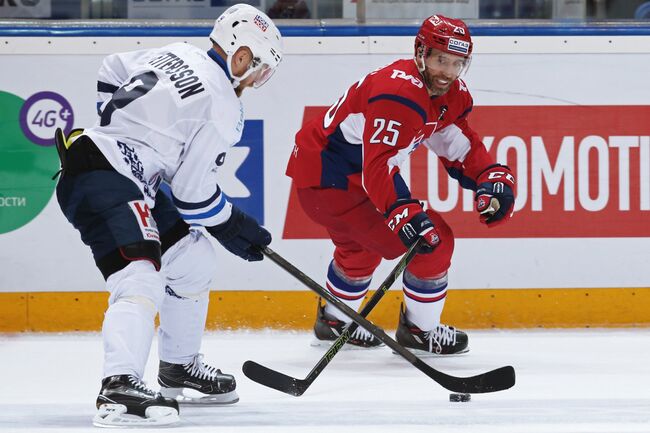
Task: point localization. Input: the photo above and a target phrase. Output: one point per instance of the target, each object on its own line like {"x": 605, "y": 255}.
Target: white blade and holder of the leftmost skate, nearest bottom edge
{"x": 114, "y": 415}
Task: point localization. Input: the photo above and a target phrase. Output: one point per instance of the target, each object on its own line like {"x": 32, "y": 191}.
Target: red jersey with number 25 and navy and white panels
{"x": 378, "y": 122}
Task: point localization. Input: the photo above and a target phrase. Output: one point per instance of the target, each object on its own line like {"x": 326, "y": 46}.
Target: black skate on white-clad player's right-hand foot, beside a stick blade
{"x": 196, "y": 383}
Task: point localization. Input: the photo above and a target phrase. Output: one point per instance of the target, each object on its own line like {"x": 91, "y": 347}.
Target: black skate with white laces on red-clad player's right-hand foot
{"x": 442, "y": 340}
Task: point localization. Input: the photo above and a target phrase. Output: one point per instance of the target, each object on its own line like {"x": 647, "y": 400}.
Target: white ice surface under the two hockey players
{"x": 572, "y": 381}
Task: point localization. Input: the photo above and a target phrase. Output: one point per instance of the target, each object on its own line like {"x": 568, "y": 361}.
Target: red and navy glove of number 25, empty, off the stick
{"x": 495, "y": 195}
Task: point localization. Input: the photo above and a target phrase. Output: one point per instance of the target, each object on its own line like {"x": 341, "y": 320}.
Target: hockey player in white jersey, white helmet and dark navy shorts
{"x": 165, "y": 115}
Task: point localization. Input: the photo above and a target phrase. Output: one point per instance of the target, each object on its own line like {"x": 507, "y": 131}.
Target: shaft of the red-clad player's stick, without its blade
{"x": 368, "y": 307}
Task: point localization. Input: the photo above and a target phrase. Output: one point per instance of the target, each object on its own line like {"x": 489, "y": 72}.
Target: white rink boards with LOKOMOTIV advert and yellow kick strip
{"x": 567, "y": 111}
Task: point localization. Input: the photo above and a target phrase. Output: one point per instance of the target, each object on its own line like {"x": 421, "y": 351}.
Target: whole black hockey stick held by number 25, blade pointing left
{"x": 297, "y": 387}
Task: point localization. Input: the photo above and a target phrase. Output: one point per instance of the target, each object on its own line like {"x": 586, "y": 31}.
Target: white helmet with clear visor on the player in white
{"x": 243, "y": 25}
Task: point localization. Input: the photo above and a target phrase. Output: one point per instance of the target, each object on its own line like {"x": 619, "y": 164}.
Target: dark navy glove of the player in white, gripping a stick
{"x": 242, "y": 235}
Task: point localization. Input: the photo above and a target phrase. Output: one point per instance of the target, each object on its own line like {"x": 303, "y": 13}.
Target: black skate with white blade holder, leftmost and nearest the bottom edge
{"x": 125, "y": 401}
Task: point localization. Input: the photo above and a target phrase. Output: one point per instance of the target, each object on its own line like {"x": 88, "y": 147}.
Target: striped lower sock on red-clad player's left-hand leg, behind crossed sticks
{"x": 349, "y": 290}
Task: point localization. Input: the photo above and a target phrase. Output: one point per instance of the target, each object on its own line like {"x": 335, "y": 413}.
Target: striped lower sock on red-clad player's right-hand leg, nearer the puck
{"x": 424, "y": 299}
